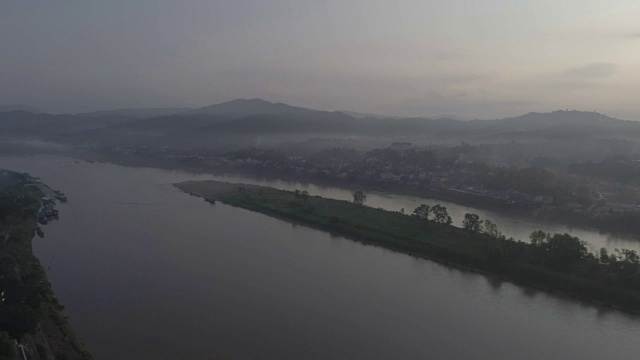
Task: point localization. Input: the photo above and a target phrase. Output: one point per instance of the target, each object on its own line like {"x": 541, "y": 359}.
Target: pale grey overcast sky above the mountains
{"x": 469, "y": 58}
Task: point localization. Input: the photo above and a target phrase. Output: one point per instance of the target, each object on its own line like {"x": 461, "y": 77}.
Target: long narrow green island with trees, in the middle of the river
{"x": 558, "y": 262}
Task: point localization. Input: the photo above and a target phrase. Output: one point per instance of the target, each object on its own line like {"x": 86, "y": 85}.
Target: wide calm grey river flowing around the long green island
{"x": 148, "y": 272}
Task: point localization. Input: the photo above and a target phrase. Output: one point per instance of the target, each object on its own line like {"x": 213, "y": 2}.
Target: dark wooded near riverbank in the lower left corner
{"x": 28, "y": 305}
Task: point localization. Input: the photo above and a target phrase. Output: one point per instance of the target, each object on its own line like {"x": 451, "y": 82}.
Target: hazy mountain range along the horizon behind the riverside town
{"x": 246, "y": 122}
